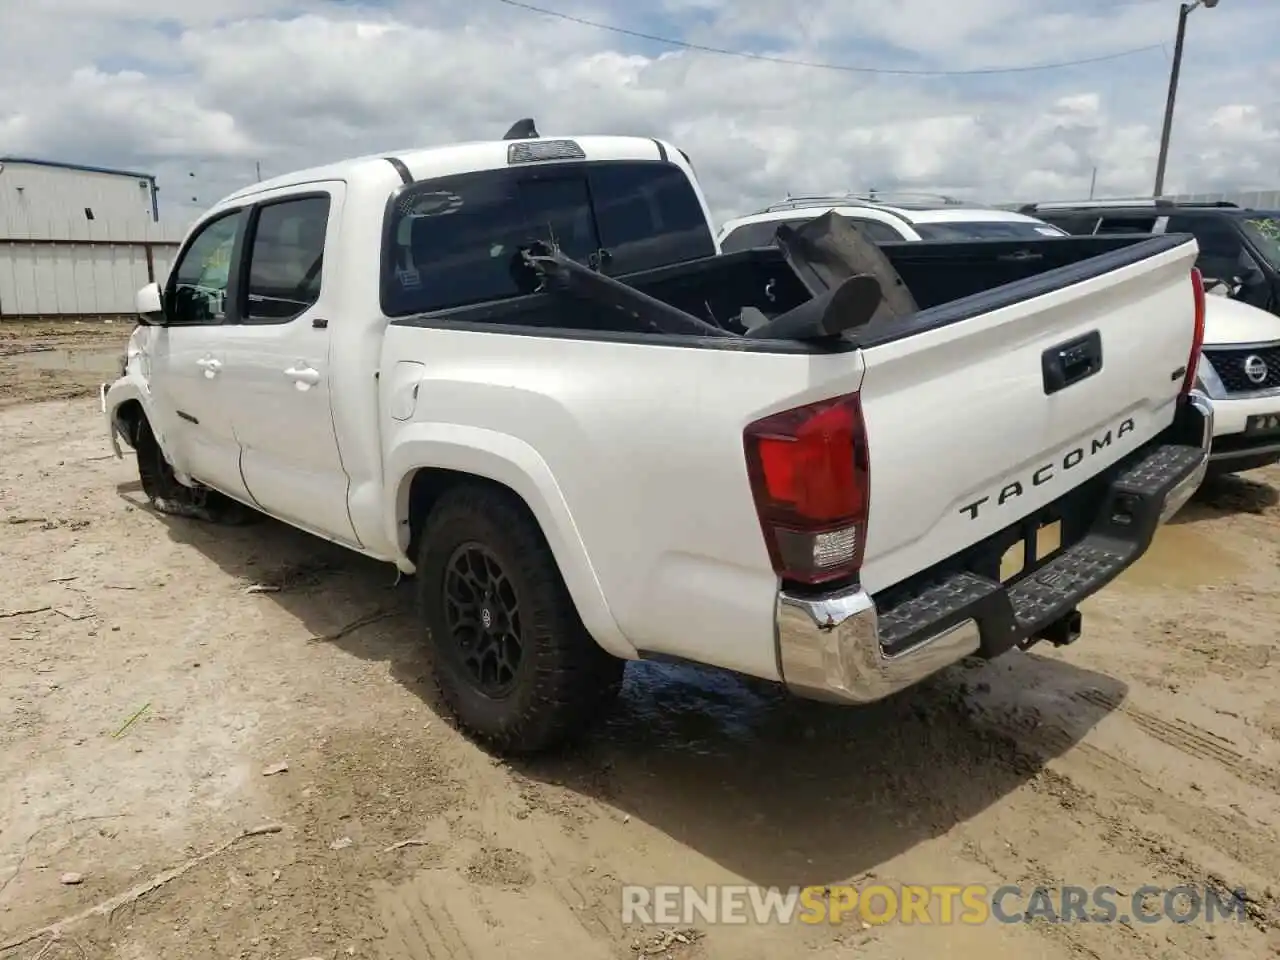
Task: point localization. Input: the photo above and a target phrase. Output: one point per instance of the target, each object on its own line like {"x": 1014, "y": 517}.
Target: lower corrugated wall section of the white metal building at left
{"x": 80, "y": 269}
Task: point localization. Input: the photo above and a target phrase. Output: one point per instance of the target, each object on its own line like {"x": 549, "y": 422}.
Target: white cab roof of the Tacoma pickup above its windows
{"x": 427, "y": 163}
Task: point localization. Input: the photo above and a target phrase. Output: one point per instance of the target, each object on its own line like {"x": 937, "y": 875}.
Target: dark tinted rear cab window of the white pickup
{"x": 458, "y": 241}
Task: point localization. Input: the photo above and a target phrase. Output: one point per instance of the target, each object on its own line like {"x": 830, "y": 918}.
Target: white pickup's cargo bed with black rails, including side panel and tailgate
{"x": 1030, "y": 372}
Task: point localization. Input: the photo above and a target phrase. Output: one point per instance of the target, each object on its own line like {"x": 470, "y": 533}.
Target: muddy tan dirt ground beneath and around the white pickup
{"x": 222, "y": 743}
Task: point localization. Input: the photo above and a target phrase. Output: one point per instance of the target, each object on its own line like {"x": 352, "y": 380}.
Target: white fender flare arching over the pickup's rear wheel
{"x": 518, "y": 467}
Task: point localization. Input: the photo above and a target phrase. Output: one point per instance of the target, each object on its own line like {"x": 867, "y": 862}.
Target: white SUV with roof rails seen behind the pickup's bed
{"x": 913, "y": 217}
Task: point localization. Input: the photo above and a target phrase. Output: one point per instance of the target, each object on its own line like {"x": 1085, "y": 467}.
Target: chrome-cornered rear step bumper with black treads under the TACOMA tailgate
{"x": 839, "y": 647}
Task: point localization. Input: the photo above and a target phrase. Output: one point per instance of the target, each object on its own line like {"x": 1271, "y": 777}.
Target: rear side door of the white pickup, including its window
{"x": 278, "y": 364}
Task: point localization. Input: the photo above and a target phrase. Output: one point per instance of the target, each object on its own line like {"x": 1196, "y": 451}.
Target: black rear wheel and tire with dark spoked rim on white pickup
{"x": 511, "y": 657}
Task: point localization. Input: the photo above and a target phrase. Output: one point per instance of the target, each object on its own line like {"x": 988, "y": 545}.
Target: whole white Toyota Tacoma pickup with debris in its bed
{"x": 524, "y": 373}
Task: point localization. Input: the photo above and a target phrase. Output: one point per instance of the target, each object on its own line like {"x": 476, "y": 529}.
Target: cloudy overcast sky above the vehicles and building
{"x": 182, "y": 88}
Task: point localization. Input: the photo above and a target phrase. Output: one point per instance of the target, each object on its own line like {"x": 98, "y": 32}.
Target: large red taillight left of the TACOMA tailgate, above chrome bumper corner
{"x": 811, "y": 478}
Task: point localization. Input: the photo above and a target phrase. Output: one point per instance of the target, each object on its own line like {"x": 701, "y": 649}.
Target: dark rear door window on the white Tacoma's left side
{"x": 286, "y": 259}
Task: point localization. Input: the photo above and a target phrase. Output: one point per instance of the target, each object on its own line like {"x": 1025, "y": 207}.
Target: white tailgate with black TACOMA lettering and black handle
{"x": 986, "y": 410}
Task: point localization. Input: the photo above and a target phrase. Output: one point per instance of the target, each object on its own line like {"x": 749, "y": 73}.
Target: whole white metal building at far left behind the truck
{"x": 77, "y": 243}
